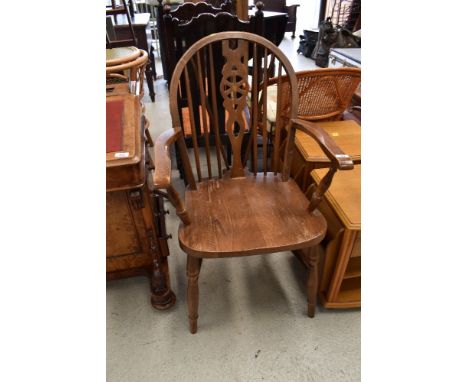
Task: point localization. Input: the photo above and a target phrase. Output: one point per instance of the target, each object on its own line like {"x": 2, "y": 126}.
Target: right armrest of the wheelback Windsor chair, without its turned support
{"x": 339, "y": 159}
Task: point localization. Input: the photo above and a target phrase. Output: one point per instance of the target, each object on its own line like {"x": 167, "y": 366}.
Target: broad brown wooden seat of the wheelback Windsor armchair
{"x": 247, "y": 216}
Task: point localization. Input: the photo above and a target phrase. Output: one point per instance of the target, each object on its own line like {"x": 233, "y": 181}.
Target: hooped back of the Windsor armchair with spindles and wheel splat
{"x": 231, "y": 105}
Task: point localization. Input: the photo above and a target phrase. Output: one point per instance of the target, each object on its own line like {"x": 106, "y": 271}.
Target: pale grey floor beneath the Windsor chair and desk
{"x": 252, "y": 326}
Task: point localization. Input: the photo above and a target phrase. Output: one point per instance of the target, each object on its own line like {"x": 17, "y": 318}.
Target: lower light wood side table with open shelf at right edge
{"x": 340, "y": 284}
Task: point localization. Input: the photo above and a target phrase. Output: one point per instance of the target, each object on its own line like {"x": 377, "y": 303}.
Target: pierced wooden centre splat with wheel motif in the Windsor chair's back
{"x": 234, "y": 88}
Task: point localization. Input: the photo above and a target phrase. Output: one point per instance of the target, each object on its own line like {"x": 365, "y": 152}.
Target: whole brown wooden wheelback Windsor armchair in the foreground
{"x": 252, "y": 207}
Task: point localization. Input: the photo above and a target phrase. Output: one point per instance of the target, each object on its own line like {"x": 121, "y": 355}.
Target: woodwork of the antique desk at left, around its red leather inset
{"x": 135, "y": 230}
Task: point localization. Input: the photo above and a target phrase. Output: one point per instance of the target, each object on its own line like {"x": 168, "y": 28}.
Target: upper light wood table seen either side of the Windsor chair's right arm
{"x": 308, "y": 155}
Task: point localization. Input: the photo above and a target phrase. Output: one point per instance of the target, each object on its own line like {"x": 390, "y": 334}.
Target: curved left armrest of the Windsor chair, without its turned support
{"x": 162, "y": 157}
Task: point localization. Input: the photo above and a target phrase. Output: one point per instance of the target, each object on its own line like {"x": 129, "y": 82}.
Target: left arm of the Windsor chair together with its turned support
{"x": 163, "y": 169}
